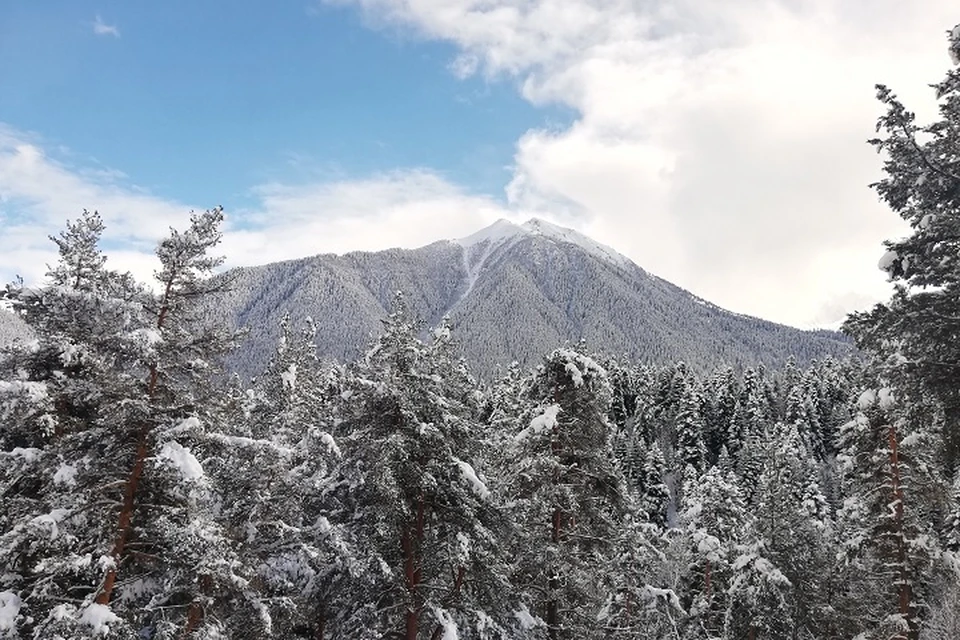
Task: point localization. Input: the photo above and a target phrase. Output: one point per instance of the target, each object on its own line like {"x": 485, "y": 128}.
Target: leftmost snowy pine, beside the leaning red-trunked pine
{"x": 55, "y": 395}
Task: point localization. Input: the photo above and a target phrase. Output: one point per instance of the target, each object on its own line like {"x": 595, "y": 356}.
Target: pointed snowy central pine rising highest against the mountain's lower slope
{"x": 415, "y": 501}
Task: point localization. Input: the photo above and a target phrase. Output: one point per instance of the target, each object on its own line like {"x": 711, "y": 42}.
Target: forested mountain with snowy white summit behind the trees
{"x": 513, "y": 292}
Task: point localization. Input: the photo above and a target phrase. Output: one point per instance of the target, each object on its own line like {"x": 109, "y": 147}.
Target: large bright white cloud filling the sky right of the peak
{"x": 720, "y": 145}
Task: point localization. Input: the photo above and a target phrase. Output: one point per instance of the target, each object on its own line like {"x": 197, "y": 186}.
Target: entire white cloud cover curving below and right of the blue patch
{"x": 719, "y": 145}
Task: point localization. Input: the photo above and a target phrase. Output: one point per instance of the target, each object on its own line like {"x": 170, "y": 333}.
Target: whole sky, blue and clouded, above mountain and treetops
{"x": 718, "y": 145}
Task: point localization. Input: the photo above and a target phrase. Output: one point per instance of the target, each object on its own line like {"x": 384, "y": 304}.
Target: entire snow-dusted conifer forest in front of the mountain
{"x": 147, "y": 493}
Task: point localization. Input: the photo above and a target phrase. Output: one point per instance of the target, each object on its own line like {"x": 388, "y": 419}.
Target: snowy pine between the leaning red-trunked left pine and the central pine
{"x": 276, "y": 460}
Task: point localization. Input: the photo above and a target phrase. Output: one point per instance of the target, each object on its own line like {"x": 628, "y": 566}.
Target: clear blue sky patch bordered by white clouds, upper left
{"x": 197, "y": 101}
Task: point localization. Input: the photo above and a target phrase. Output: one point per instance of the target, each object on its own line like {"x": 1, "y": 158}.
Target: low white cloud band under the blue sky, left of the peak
{"x": 39, "y": 192}
